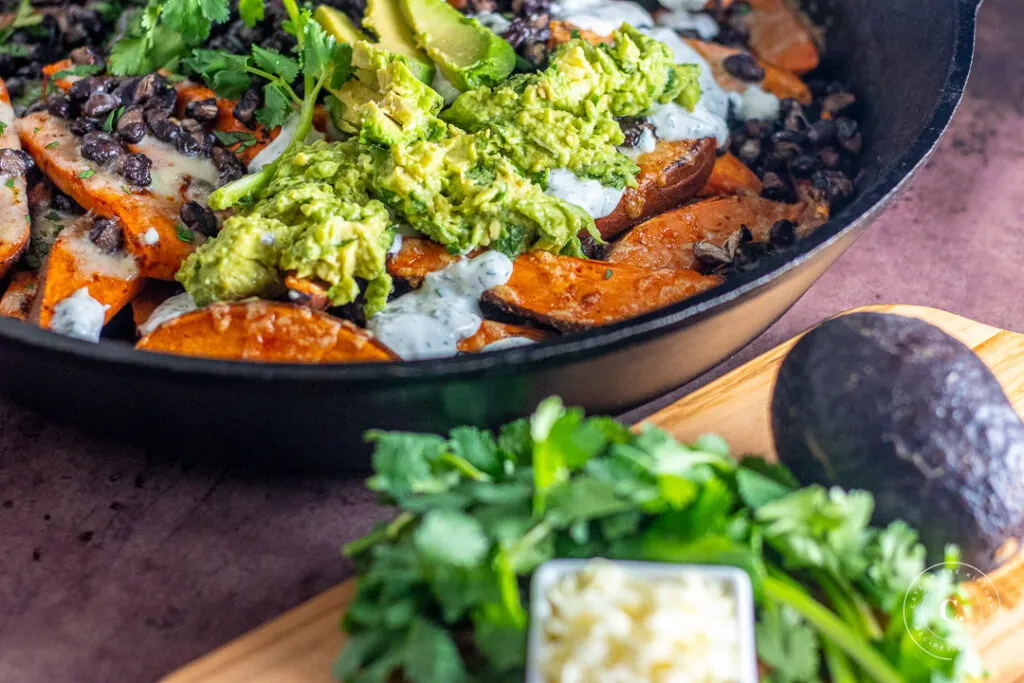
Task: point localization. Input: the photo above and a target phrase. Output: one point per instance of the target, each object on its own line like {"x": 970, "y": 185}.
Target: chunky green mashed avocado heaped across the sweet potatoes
{"x": 331, "y": 210}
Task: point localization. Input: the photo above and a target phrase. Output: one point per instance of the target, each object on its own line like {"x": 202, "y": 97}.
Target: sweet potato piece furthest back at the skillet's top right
{"x": 779, "y": 37}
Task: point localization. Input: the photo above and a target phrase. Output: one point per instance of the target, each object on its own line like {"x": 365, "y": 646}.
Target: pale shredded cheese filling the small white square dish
{"x": 608, "y": 625}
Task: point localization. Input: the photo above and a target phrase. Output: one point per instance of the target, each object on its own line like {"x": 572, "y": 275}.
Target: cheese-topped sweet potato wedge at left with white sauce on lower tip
{"x": 75, "y": 263}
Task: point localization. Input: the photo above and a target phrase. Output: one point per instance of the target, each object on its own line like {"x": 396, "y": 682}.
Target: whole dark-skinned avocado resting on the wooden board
{"x": 897, "y": 407}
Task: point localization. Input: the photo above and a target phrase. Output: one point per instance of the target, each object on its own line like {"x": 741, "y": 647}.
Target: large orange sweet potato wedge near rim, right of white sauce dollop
{"x": 572, "y": 294}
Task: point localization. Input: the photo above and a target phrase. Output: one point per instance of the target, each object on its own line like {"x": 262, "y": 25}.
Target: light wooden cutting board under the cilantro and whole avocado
{"x": 301, "y": 646}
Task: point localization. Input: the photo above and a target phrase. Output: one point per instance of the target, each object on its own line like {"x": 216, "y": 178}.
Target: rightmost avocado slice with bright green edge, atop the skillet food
{"x": 467, "y": 53}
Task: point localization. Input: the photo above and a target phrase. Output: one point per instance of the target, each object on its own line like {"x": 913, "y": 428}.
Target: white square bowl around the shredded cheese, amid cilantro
{"x": 551, "y": 572}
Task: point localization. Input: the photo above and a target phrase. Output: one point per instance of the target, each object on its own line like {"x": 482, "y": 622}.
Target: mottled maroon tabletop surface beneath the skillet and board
{"x": 119, "y": 566}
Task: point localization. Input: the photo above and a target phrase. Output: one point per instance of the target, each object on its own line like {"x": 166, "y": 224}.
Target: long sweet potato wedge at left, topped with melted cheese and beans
{"x": 150, "y": 215}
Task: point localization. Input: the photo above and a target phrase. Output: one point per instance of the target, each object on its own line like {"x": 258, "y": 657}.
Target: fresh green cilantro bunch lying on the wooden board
{"x": 442, "y": 588}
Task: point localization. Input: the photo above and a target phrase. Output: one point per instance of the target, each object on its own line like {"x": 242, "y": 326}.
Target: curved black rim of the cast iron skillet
{"x": 577, "y": 348}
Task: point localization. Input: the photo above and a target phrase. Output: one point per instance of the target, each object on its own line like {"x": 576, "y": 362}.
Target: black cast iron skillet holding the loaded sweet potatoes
{"x": 909, "y": 62}
